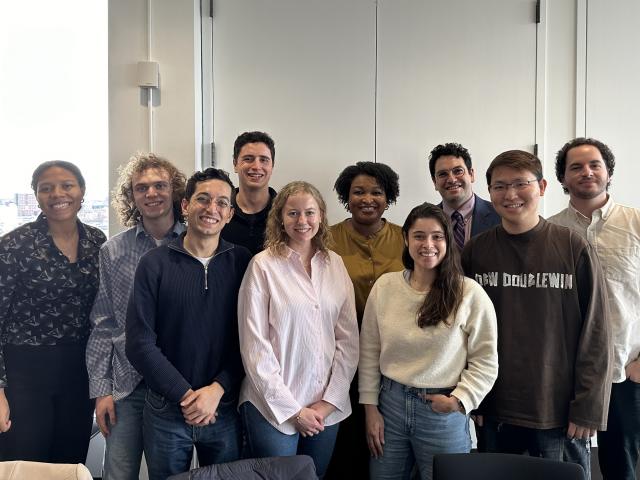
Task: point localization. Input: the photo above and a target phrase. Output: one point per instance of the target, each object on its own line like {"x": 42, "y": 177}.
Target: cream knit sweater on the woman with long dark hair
{"x": 462, "y": 356}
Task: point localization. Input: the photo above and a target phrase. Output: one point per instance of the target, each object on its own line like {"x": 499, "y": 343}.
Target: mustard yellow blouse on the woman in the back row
{"x": 368, "y": 258}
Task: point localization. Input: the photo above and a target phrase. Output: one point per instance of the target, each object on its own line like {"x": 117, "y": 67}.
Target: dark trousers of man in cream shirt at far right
{"x": 618, "y": 446}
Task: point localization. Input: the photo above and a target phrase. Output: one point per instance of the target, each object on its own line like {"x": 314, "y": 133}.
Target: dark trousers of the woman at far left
{"x": 48, "y": 395}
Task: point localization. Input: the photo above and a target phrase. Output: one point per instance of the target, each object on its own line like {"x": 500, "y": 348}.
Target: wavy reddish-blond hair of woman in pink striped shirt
{"x": 275, "y": 236}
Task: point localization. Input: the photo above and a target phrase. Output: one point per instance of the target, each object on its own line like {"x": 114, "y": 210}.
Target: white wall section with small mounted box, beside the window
{"x": 175, "y": 45}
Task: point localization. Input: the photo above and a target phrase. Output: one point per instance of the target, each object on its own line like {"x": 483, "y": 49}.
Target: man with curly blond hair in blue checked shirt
{"x": 147, "y": 199}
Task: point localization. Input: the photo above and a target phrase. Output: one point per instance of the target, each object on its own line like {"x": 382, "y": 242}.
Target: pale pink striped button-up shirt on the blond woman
{"x": 298, "y": 336}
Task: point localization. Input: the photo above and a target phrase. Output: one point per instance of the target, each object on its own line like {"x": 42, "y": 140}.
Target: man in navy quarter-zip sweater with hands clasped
{"x": 182, "y": 335}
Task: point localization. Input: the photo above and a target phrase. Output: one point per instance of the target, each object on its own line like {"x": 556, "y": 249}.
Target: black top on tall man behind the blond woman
{"x": 247, "y": 229}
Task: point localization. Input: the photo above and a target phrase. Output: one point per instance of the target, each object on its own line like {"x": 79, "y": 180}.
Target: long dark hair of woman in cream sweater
{"x": 446, "y": 292}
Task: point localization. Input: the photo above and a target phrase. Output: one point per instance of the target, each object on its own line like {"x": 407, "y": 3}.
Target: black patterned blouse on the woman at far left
{"x": 44, "y": 298}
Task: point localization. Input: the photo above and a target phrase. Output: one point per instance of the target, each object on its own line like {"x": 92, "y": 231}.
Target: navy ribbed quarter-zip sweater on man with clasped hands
{"x": 182, "y": 320}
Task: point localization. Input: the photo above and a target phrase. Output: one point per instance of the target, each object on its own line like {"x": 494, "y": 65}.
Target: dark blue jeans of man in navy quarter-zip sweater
{"x": 169, "y": 441}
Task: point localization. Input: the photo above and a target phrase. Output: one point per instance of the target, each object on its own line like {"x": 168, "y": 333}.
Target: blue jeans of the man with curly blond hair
{"x": 123, "y": 451}
